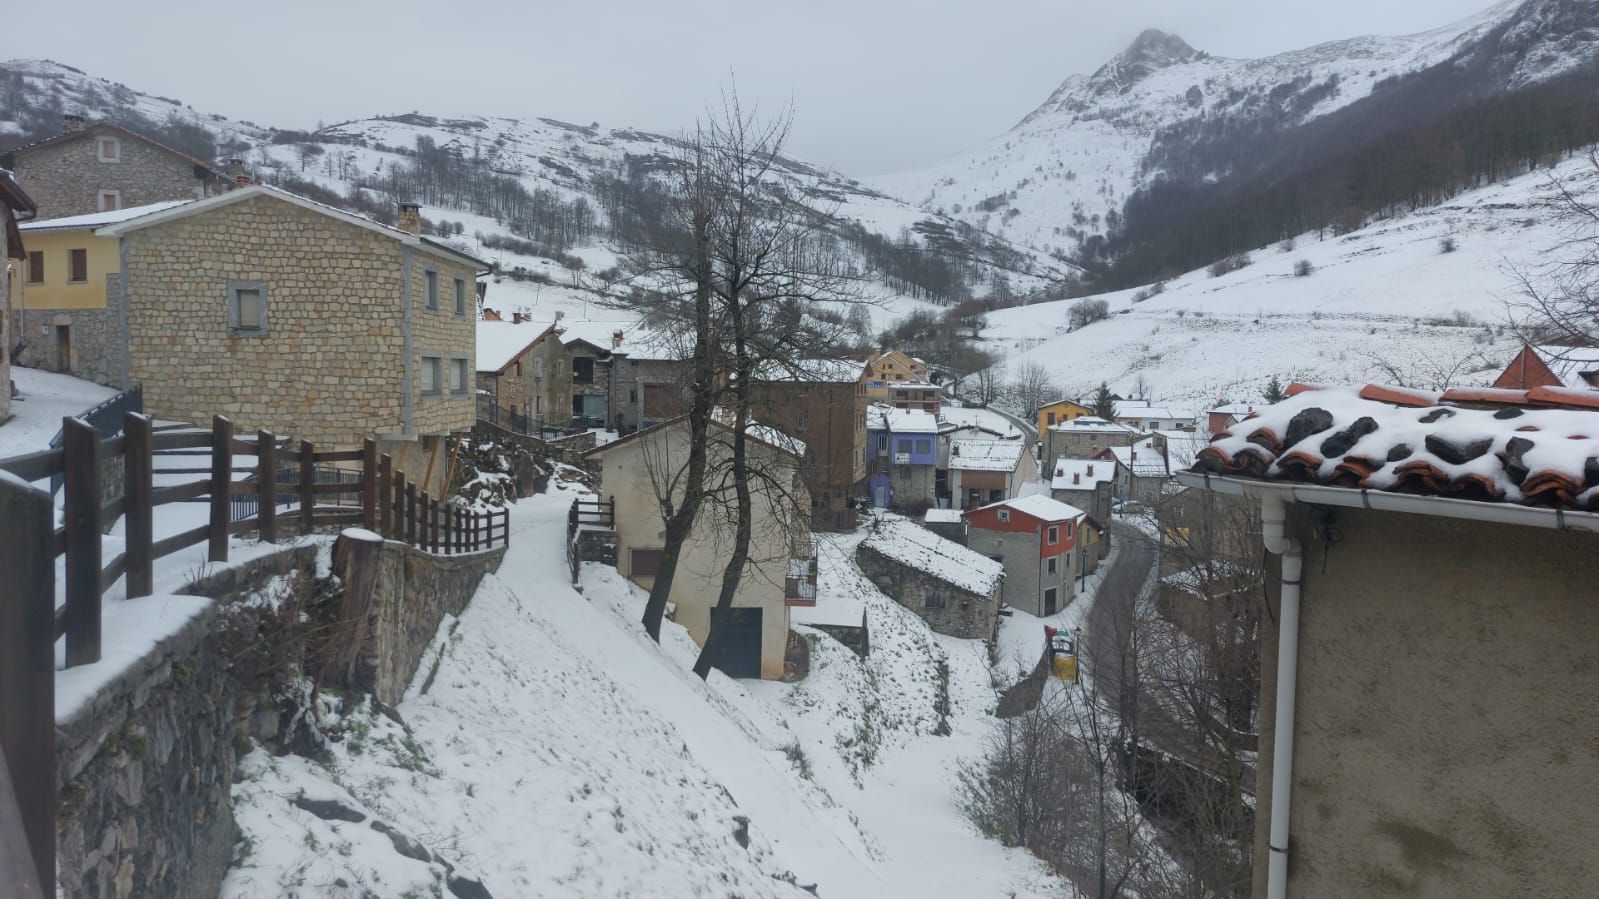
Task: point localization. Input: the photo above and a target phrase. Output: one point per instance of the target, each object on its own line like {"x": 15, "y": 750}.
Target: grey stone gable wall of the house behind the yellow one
{"x": 66, "y": 178}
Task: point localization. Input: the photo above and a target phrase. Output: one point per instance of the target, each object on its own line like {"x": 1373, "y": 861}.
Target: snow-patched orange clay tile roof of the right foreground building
{"x": 1534, "y": 447}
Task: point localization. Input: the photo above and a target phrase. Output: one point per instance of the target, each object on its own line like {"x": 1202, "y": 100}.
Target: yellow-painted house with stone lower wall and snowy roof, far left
{"x": 62, "y": 318}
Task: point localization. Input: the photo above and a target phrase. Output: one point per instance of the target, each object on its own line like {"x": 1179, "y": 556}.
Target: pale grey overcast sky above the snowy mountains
{"x": 877, "y": 86}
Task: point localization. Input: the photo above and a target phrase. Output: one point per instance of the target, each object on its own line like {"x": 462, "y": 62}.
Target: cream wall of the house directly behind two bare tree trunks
{"x": 626, "y": 476}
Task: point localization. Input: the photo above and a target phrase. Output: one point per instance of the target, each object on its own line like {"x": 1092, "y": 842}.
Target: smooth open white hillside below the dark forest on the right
{"x": 1384, "y": 294}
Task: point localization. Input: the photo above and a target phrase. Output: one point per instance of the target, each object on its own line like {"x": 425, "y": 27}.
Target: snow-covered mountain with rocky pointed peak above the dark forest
{"x": 1067, "y": 170}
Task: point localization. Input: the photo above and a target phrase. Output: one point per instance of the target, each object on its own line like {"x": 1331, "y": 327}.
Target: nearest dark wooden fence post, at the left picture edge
{"x": 28, "y": 677}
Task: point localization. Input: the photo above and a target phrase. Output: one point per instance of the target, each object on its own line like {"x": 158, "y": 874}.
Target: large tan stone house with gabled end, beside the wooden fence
{"x": 305, "y": 321}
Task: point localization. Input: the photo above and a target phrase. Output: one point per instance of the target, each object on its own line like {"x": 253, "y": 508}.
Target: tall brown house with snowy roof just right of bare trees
{"x": 824, "y": 404}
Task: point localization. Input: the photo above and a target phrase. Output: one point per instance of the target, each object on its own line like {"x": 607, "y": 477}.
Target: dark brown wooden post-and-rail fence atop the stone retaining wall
{"x": 30, "y": 545}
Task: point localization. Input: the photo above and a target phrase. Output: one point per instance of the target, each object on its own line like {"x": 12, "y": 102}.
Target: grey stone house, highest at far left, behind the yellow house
{"x": 103, "y": 167}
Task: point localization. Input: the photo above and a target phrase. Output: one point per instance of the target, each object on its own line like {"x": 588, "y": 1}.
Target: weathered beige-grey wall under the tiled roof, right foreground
{"x": 1448, "y": 725}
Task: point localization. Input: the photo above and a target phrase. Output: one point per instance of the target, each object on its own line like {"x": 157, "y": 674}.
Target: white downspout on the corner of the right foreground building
{"x": 1277, "y": 541}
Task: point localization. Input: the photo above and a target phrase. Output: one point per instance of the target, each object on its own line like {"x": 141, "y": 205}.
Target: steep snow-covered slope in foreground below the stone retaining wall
{"x": 551, "y": 749}
